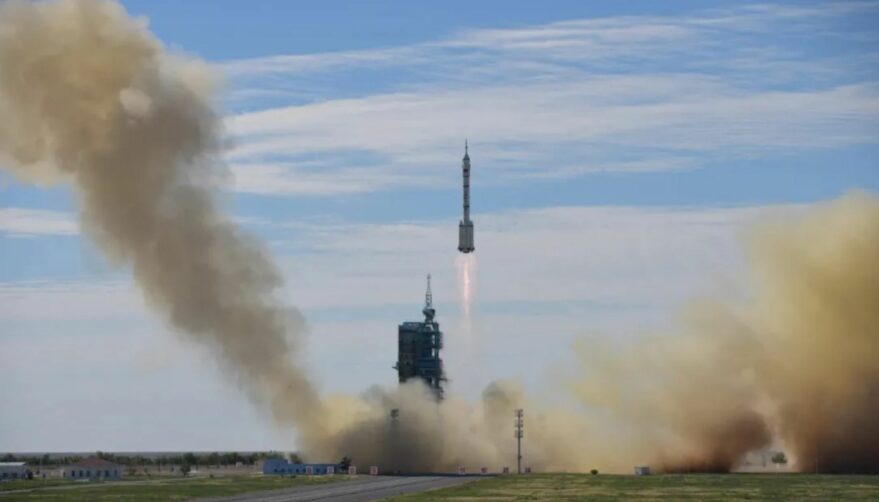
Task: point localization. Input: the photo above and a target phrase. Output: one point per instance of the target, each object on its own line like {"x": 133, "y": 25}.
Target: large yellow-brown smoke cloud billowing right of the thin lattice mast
{"x": 796, "y": 367}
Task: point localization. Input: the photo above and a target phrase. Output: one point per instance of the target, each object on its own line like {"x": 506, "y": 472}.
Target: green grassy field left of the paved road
{"x": 167, "y": 489}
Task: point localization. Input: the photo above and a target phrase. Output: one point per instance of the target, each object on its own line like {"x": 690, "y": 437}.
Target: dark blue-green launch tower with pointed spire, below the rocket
{"x": 418, "y": 349}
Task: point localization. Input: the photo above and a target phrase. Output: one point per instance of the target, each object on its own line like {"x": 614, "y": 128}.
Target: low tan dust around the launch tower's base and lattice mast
{"x": 431, "y": 437}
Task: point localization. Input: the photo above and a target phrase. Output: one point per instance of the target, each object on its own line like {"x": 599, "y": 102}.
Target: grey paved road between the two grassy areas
{"x": 361, "y": 489}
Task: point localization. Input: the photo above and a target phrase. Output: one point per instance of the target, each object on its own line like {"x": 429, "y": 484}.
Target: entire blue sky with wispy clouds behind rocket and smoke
{"x": 625, "y": 143}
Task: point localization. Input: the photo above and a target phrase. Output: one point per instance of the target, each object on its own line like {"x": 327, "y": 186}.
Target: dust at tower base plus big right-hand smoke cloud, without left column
{"x": 793, "y": 367}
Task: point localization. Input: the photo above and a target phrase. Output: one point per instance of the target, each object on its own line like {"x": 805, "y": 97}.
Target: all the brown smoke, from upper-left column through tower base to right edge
{"x": 88, "y": 96}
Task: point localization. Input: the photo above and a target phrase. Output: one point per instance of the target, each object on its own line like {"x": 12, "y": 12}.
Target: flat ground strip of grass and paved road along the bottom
{"x": 798, "y": 487}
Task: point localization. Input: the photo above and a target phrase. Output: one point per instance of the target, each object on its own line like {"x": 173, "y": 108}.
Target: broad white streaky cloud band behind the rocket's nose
{"x": 563, "y": 127}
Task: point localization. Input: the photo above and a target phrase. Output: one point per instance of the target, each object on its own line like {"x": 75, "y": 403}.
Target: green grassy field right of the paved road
{"x": 795, "y": 487}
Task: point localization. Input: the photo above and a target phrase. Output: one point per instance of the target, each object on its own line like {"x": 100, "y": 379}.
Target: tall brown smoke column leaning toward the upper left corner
{"x": 88, "y": 95}
